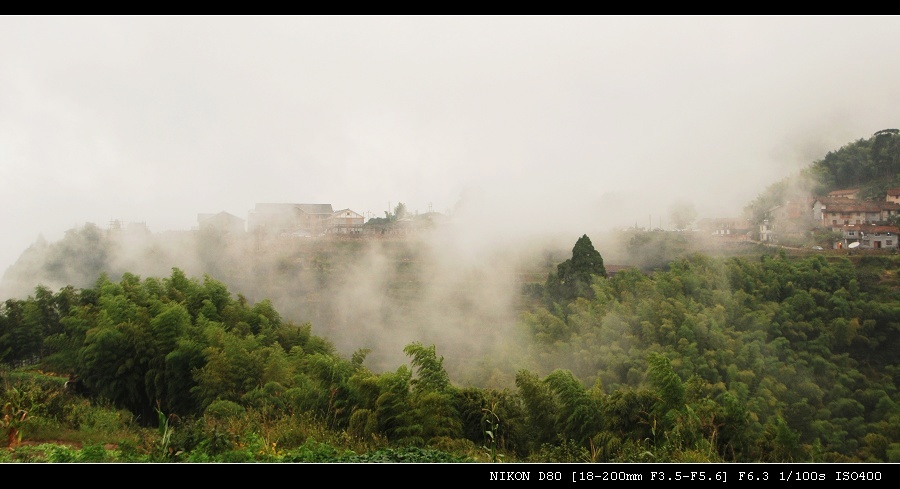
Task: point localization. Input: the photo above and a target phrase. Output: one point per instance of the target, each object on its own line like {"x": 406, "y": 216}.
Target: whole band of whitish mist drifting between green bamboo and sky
{"x": 460, "y": 283}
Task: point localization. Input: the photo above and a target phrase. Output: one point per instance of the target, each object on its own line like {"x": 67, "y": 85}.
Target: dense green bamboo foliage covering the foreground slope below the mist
{"x": 711, "y": 359}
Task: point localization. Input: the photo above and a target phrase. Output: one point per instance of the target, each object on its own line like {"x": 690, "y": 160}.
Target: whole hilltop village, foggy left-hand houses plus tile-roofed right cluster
{"x": 838, "y": 220}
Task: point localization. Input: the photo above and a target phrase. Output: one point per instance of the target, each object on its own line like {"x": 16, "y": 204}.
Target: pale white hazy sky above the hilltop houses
{"x": 550, "y": 123}
